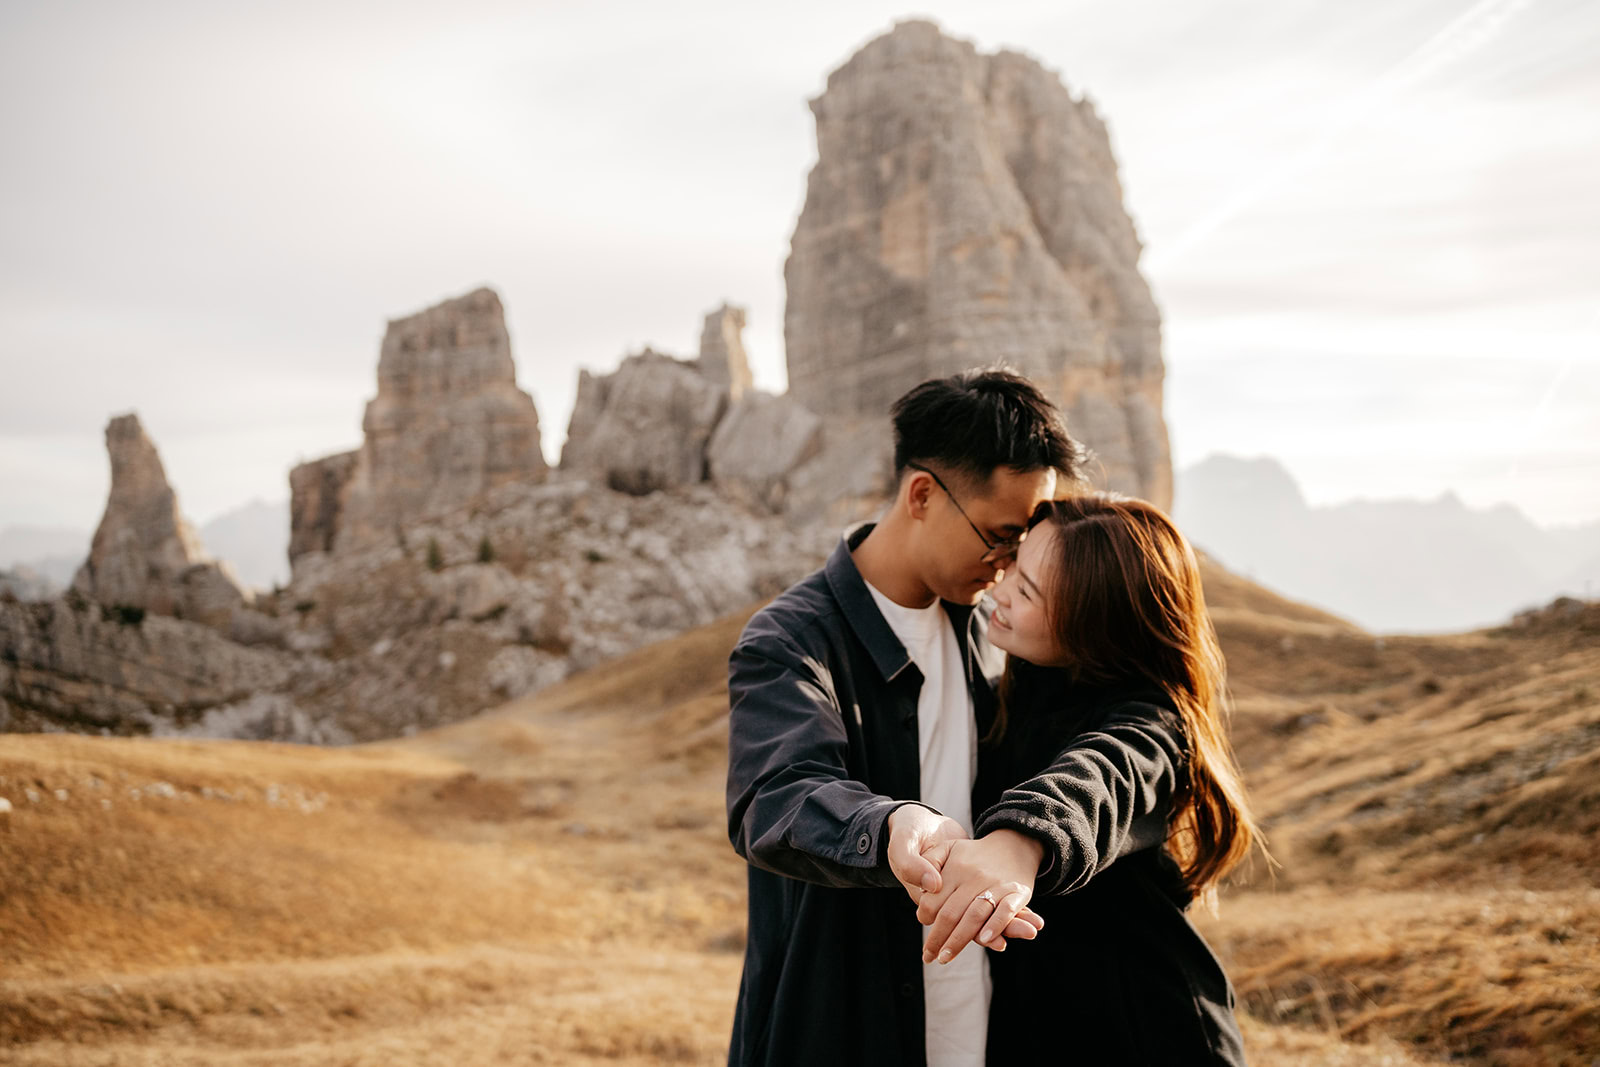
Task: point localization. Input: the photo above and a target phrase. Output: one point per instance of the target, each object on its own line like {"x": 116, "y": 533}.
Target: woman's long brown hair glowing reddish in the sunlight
{"x": 1124, "y": 597}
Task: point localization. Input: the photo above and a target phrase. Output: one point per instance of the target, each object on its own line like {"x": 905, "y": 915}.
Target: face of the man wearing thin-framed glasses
{"x": 953, "y": 551}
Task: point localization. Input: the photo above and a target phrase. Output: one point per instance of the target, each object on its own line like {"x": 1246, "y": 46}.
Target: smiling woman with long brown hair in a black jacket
{"x": 1122, "y": 785}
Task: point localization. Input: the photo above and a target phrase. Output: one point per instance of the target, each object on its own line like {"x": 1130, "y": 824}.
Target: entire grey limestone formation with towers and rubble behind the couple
{"x": 964, "y": 210}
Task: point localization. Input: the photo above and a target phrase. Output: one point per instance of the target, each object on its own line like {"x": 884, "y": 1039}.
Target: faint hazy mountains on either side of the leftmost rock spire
{"x": 254, "y": 538}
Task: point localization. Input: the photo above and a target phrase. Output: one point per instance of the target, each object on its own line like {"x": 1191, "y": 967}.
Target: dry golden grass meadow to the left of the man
{"x": 546, "y": 884}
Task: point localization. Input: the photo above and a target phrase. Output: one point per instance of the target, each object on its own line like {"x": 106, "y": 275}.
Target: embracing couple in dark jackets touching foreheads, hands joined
{"x": 1044, "y": 773}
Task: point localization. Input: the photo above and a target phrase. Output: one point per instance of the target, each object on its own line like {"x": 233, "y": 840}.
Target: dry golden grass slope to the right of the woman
{"x": 1436, "y": 807}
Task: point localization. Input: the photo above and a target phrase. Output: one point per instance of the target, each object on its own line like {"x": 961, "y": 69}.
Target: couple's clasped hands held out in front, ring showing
{"x": 946, "y": 874}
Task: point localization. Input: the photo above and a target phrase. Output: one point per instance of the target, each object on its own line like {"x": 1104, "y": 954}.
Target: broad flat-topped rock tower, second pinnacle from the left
{"x": 449, "y": 423}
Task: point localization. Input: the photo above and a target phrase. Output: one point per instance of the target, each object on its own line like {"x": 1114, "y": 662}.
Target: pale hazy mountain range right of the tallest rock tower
{"x": 1388, "y": 565}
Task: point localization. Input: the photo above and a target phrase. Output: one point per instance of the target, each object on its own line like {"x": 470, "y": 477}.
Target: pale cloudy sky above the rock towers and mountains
{"x": 1370, "y": 226}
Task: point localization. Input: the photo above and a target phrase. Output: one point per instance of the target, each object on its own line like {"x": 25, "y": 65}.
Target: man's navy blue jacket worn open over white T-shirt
{"x": 822, "y": 749}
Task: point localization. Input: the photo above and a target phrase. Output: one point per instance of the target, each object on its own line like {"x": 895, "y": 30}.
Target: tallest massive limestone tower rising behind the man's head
{"x": 966, "y": 210}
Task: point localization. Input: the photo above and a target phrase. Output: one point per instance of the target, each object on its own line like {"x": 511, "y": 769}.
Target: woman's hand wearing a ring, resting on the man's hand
{"x": 1004, "y": 863}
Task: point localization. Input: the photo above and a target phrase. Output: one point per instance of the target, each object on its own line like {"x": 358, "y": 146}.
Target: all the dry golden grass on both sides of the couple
{"x": 551, "y": 882}
